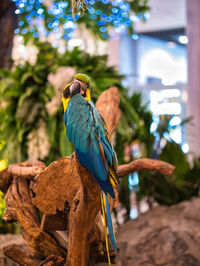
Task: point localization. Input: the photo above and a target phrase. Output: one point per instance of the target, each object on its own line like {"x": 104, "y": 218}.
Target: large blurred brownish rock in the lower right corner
{"x": 164, "y": 236}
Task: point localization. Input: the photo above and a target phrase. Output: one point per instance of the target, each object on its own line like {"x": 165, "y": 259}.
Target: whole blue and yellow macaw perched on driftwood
{"x": 87, "y": 130}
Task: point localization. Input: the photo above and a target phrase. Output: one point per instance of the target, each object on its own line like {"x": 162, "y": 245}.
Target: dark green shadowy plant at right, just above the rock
{"x": 182, "y": 185}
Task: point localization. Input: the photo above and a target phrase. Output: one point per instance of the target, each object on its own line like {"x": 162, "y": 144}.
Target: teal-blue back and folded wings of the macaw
{"x": 87, "y": 130}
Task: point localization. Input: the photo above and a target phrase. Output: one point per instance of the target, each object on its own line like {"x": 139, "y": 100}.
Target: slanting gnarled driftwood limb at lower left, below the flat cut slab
{"x": 19, "y": 208}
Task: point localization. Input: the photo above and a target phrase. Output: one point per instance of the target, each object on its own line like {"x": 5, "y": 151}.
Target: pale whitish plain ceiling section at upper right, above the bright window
{"x": 165, "y": 14}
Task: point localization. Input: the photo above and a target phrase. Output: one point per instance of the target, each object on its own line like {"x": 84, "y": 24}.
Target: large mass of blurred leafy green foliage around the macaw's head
{"x": 28, "y": 125}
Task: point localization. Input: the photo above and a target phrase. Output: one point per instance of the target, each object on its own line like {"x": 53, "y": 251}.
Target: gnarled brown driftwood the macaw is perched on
{"x": 69, "y": 199}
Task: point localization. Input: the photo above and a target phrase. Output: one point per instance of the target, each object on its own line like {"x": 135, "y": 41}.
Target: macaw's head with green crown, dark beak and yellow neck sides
{"x": 81, "y": 85}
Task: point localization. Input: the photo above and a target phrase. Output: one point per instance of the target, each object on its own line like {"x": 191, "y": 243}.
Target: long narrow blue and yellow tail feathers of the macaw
{"x": 107, "y": 221}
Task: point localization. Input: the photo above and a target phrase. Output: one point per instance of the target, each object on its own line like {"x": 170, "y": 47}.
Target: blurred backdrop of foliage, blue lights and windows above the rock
{"x": 149, "y": 50}
